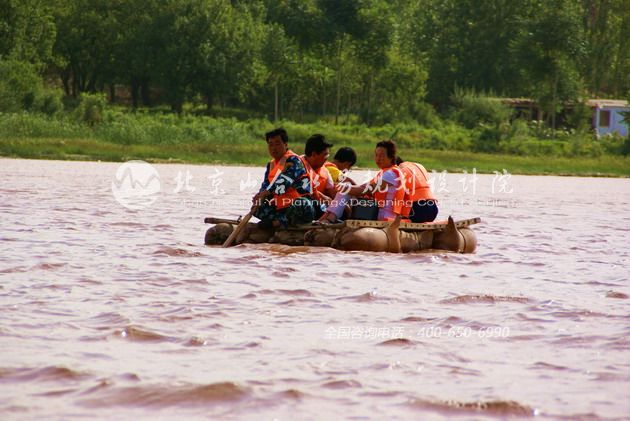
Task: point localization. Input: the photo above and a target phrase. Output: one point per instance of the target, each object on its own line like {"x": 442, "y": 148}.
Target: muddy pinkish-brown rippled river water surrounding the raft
{"x": 108, "y": 312}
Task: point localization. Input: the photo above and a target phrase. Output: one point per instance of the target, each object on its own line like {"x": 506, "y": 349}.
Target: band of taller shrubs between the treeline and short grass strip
{"x": 146, "y": 127}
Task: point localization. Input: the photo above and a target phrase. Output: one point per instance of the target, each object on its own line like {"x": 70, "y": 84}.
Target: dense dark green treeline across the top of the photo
{"x": 380, "y": 60}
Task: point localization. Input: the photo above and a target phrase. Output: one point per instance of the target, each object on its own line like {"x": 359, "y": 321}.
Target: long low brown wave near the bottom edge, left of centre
{"x": 165, "y": 396}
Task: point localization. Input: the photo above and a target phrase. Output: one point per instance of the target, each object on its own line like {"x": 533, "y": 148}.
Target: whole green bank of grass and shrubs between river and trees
{"x": 155, "y": 137}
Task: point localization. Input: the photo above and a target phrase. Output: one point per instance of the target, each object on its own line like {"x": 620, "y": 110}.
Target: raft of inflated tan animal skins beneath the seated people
{"x": 359, "y": 235}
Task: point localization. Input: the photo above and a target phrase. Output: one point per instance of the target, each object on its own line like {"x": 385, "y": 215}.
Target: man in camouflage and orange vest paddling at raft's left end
{"x": 284, "y": 196}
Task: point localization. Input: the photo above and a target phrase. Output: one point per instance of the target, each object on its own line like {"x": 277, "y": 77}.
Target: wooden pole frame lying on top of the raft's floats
{"x": 356, "y": 223}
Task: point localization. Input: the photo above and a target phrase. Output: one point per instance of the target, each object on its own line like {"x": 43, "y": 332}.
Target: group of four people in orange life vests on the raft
{"x": 300, "y": 189}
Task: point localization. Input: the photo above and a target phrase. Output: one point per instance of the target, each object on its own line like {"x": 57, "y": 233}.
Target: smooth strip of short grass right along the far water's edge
{"x": 256, "y": 155}
